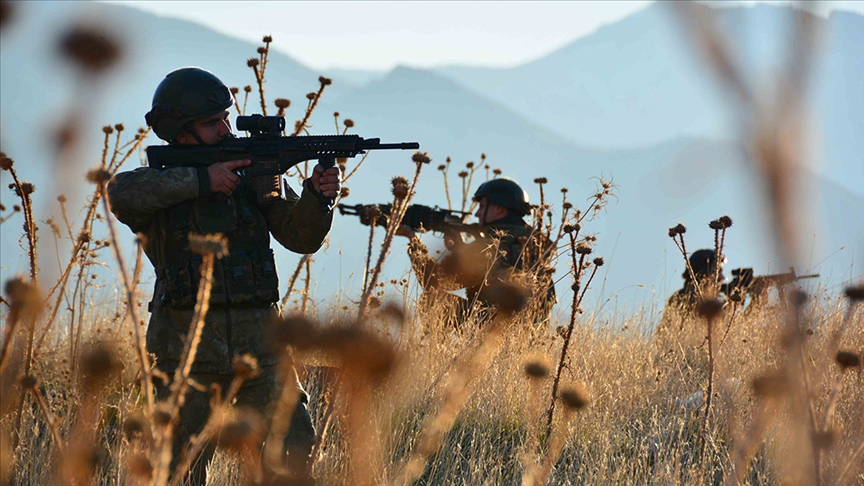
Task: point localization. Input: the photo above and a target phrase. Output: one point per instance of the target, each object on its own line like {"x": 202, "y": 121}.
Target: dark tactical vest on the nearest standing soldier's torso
{"x": 246, "y": 276}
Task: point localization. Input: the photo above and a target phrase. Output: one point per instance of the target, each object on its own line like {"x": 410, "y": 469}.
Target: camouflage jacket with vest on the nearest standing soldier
{"x": 164, "y": 207}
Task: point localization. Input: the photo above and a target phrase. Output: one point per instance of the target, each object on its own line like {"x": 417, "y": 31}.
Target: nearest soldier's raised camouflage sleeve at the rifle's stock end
{"x": 136, "y": 196}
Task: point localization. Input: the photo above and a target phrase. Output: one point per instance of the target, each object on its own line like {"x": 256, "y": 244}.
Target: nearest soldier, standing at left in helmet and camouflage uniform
{"x": 190, "y": 107}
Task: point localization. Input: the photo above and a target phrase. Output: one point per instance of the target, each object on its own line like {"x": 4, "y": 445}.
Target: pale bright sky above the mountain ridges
{"x": 381, "y": 35}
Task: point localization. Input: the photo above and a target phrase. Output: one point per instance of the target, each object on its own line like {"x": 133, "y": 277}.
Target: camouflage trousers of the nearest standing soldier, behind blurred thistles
{"x": 256, "y": 394}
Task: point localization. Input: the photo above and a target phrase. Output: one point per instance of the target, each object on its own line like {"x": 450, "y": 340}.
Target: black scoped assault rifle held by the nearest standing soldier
{"x": 271, "y": 153}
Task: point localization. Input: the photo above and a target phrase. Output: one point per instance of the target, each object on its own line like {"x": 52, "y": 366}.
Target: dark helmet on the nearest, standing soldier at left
{"x": 185, "y": 95}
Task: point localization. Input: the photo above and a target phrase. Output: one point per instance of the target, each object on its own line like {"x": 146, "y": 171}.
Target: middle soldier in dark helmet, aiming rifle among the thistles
{"x": 506, "y": 246}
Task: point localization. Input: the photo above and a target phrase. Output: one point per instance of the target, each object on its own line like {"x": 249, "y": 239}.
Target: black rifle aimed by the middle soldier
{"x": 417, "y": 216}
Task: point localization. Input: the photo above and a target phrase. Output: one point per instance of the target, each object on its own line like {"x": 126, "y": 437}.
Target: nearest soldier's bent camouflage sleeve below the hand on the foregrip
{"x": 298, "y": 222}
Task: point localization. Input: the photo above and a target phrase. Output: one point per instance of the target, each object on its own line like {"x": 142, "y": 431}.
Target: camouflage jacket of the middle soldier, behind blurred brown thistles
{"x": 507, "y": 248}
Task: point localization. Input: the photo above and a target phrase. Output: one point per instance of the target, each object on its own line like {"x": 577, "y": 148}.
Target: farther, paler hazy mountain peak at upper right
{"x": 638, "y": 82}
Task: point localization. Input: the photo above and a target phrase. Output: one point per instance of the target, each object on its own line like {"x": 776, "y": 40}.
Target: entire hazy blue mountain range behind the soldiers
{"x": 628, "y": 103}
